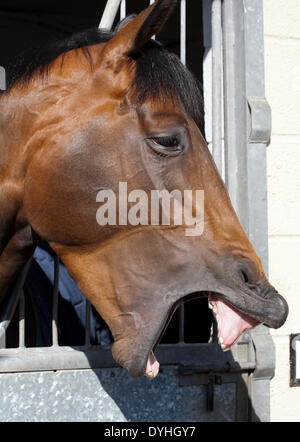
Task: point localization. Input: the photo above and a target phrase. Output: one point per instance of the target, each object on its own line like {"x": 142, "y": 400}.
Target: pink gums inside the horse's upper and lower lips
{"x": 231, "y": 325}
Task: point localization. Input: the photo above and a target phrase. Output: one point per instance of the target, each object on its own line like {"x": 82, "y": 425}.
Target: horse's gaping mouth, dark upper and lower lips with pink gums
{"x": 248, "y": 309}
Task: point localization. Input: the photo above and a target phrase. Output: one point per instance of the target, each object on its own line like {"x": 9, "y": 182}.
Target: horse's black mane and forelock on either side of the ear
{"x": 159, "y": 72}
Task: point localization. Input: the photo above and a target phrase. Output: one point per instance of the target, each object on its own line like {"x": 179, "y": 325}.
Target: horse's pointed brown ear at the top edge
{"x": 132, "y": 37}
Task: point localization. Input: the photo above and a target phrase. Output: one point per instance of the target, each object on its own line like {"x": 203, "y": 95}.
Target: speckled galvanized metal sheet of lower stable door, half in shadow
{"x": 109, "y": 395}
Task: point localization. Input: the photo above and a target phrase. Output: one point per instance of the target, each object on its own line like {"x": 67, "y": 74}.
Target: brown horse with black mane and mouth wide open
{"x": 121, "y": 109}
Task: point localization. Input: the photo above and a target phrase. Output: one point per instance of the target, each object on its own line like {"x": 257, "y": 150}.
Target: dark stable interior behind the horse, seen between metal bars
{"x": 24, "y": 25}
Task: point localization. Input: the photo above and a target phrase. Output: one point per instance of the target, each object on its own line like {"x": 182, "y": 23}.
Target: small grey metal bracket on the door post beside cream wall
{"x": 260, "y": 120}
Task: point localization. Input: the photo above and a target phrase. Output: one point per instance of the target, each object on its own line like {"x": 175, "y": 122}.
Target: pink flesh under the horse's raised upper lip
{"x": 231, "y": 323}
